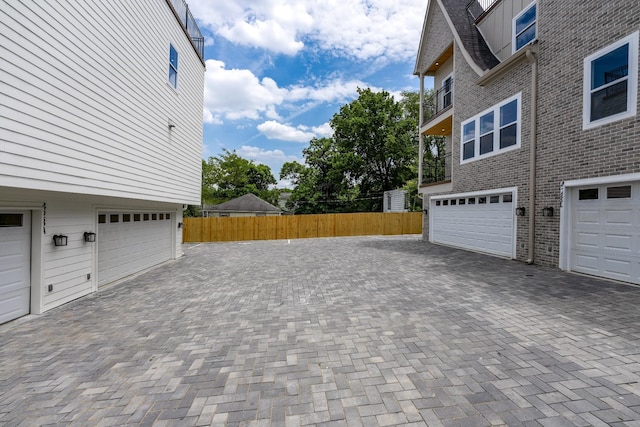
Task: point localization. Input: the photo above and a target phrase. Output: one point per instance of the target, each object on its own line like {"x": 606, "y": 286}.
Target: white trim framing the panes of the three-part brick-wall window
{"x": 496, "y": 131}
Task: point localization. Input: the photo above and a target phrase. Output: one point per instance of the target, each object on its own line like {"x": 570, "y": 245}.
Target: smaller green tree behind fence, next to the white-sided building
{"x": 228, "y": 176}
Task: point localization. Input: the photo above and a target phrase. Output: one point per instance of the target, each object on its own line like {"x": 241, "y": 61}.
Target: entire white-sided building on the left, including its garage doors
{"x": 100, "y": 132}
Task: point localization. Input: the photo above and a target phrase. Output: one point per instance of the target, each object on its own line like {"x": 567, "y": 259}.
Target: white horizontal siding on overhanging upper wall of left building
{"x": 90, "y": 115}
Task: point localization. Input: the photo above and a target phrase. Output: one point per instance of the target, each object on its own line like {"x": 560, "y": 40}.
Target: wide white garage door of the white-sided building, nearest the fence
{"x": 130, "y": 242}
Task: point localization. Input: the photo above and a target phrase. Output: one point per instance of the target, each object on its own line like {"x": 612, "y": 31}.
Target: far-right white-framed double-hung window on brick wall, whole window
{"x": 610, "y": 85}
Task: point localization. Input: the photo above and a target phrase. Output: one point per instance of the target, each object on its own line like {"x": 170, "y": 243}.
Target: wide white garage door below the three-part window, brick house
{"x": 480, "y": 223}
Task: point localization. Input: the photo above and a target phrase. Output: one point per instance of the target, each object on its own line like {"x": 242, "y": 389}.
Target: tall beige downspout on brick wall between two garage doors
{"x": 532, "y": 155}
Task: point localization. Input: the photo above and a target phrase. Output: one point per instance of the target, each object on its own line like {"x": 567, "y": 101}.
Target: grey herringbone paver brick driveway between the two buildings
{"x": 349, "y": 331}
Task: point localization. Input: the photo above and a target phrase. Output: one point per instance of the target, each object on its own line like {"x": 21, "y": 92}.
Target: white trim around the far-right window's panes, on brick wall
{"x": 632, "y": 85}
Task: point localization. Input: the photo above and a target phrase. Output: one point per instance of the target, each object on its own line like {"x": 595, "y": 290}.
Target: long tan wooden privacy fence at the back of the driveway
{"x": 227, "y": 229}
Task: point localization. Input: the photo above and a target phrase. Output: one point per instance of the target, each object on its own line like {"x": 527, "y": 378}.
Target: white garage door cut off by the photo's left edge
{"x": 15, "y": 264}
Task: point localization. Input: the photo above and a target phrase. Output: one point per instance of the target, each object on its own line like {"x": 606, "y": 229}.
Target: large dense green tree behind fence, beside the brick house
{"x": 373, "y": 149}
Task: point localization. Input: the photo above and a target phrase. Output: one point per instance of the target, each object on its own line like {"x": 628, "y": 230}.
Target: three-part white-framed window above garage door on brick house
{"x": 493, "y": 131}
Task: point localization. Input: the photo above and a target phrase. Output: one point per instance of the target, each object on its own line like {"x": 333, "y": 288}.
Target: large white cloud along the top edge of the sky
{"x": 363, "y": 29}
